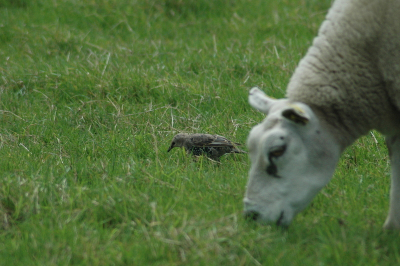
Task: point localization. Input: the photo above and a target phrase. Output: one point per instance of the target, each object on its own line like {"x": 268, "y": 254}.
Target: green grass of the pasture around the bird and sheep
{"x": 91, "y": 94}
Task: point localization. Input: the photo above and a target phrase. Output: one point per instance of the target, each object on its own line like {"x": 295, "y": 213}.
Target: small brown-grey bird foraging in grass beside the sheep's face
{"x": 214, "y": 146}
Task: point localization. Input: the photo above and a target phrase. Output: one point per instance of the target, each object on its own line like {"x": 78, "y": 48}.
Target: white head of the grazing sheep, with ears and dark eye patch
{"x": 292, "y": 159}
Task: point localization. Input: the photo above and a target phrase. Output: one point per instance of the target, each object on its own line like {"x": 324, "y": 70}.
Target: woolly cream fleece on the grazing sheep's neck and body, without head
{"x": 351, "y": 74}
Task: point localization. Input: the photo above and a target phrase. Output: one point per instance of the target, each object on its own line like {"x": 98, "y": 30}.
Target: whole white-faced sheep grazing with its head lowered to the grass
{"x": 347, "y": 84}
